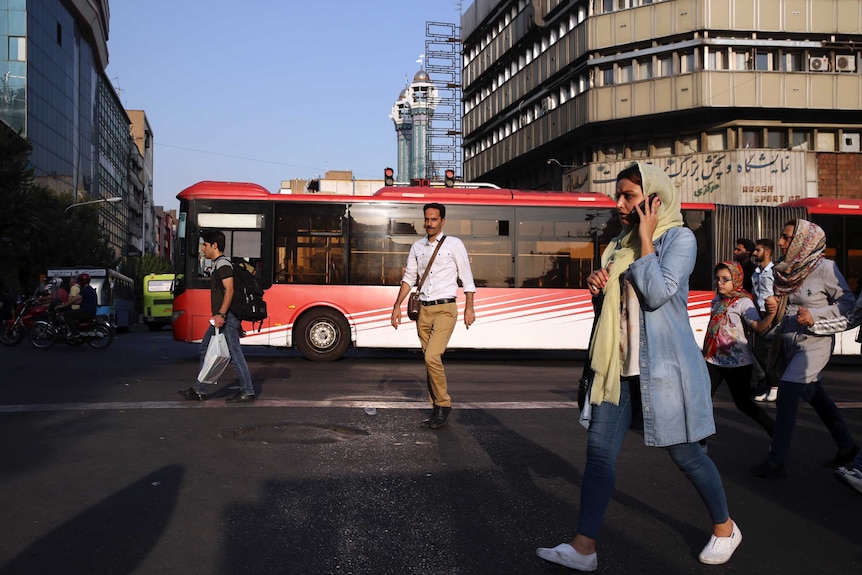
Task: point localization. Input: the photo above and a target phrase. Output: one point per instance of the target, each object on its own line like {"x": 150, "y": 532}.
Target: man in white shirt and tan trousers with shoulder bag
{"x": 438, "y": 313}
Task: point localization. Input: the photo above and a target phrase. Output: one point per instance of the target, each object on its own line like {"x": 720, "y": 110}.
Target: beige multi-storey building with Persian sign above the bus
{"x": 740, "y": 101}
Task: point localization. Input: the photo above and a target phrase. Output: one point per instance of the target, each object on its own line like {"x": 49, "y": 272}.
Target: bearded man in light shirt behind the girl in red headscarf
{"x": 762, "y": 281}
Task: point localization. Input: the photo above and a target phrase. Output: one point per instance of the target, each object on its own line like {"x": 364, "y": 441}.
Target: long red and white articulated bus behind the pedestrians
{"x": 331, "y": 265}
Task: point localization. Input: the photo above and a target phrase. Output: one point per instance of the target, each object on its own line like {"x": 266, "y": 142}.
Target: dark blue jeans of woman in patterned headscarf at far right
{"x": 786, "y": 407}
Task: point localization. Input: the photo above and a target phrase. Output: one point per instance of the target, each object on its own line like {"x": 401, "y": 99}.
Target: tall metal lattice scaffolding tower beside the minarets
{"x": 443, "y": 66}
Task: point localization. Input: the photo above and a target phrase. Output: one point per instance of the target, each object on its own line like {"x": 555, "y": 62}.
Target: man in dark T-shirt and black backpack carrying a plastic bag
{"x": 221, "y": 296}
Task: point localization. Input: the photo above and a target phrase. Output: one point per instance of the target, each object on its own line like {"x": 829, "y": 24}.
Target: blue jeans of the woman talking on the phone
{"x": 608, "y": 428}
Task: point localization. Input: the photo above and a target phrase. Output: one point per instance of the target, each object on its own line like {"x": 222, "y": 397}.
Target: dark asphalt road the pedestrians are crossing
{"x": 106, "y": 470}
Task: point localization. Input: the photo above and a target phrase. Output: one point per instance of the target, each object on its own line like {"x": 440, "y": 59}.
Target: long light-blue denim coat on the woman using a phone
{"x": 675, "y": 387}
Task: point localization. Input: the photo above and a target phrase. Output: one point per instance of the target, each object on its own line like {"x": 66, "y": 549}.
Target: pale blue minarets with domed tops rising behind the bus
{"x": 412, "y": 114}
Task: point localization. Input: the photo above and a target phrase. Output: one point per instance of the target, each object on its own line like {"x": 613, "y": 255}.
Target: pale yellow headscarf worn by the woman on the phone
{"x": 620, "y": 253}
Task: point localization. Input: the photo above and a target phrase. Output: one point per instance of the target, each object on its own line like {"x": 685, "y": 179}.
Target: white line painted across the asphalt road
{"x": 344, "y": 404}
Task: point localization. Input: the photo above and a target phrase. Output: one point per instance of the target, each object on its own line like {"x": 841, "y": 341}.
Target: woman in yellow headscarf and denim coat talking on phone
{"x": 647, "y": 364}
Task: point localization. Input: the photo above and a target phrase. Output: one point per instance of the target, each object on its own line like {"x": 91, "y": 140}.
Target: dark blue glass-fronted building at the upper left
{"x": 54, "y": 92}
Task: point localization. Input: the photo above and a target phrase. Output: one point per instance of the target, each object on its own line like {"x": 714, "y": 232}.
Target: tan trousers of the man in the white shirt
{"x": 434, "y": 327}
